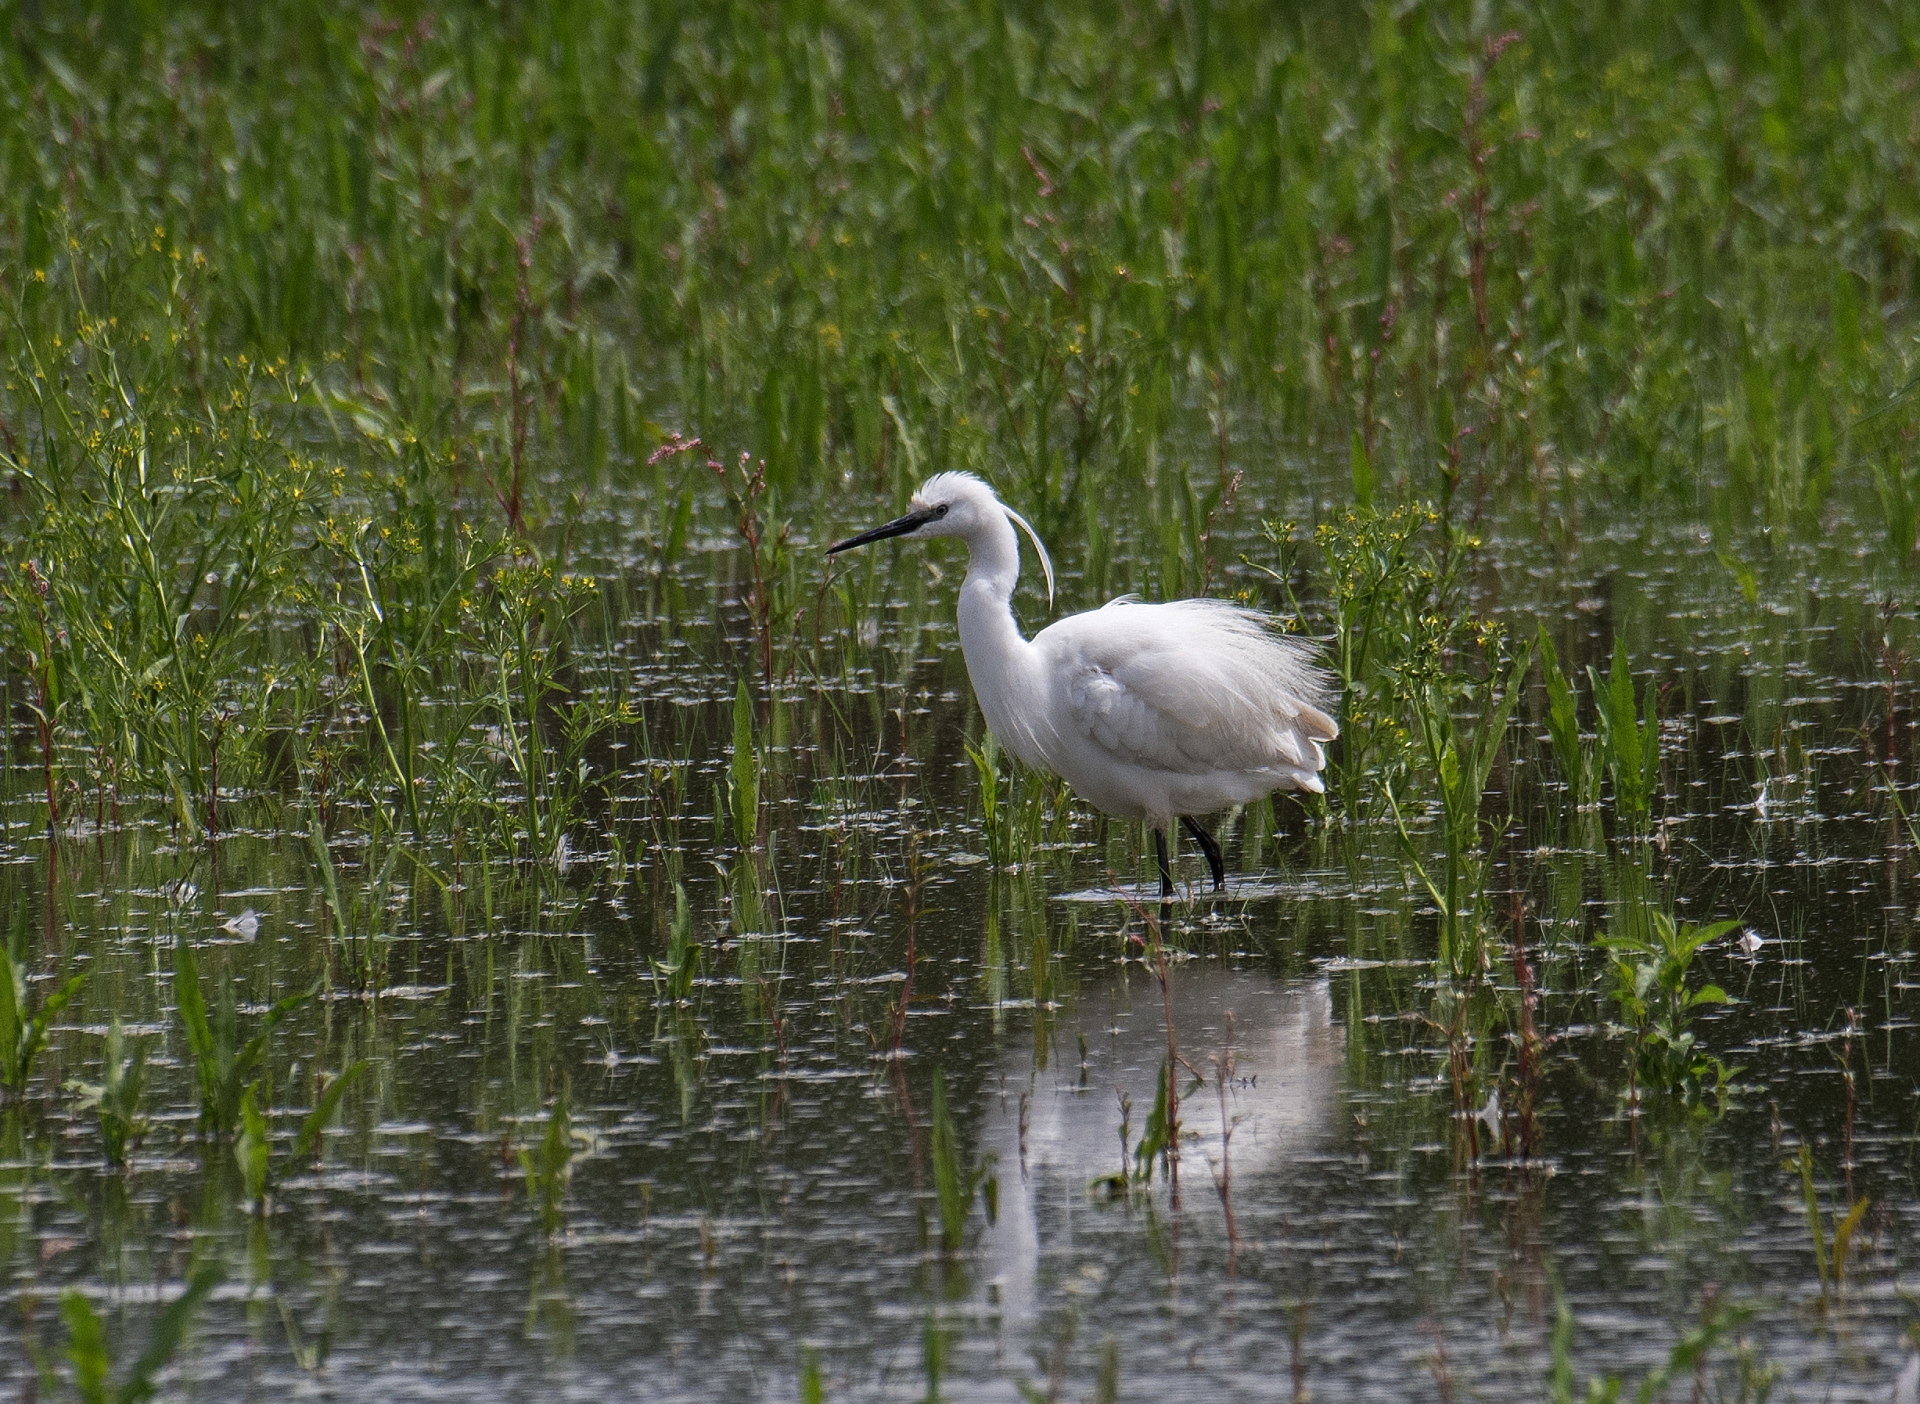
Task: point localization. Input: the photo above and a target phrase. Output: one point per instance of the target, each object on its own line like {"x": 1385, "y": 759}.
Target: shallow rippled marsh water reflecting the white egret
{"x": 754, "y": 1184}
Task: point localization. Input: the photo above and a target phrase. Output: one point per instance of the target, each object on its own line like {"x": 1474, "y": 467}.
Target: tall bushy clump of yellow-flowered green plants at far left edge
{"x": 120, "y": 556}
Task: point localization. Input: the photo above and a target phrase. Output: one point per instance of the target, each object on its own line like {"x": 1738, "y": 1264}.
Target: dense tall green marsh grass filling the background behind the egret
{"x": 308, "y": 304}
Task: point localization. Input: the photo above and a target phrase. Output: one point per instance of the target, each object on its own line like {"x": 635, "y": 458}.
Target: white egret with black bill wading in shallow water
{"x": 1147, "y": 712}
